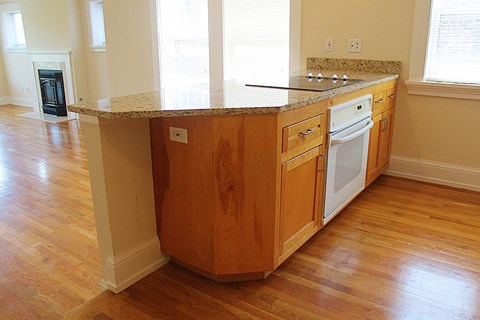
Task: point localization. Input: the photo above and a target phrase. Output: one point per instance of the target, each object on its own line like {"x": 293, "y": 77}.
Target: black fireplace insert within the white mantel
{"x": 53, "y": 92}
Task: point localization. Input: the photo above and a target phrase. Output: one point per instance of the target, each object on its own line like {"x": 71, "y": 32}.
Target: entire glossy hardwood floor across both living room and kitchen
{"x": 401, "y": 250}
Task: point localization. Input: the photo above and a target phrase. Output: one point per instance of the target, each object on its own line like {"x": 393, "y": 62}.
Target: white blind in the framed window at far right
{"x": 453, "y": 53}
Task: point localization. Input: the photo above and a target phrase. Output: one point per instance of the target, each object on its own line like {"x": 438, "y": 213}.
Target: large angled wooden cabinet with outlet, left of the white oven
{"x": 243, "y": 193}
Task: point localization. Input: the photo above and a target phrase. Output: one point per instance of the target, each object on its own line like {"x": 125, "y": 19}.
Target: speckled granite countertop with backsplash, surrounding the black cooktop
{"x": 232, "y": 98}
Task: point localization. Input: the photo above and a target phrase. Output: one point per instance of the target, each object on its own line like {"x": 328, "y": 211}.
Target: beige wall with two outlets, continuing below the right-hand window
{"x": 426, "y": 128}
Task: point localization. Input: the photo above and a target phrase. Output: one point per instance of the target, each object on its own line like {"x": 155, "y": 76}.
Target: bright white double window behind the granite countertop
{"x": 245, "y": 40}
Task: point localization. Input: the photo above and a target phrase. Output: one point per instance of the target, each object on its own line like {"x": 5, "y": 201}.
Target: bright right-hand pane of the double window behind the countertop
{"x": 256, "y": 39}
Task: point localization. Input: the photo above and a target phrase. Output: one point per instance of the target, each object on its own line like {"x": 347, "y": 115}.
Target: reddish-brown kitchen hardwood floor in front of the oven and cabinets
{"x": 401, "y": 250}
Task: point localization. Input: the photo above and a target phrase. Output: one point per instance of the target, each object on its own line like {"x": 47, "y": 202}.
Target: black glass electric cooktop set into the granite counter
{"x": 307, "y": 84}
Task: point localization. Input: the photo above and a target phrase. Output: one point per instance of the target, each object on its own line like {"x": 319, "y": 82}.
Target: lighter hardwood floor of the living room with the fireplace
{"x": 49, "y": 258}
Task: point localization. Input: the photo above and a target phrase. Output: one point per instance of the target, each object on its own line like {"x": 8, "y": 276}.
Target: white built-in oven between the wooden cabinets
{"x": 349, "y": 130}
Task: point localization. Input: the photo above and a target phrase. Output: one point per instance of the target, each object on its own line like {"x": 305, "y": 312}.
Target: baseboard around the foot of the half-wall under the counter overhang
{"x": 122, "y": 271}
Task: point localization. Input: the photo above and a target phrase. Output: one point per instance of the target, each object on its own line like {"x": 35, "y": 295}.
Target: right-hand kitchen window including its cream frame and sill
{"x": 435, "y": 54}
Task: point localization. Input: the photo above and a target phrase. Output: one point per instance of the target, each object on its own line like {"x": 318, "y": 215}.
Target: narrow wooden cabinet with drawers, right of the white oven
{"x": 381, "y": 134}
